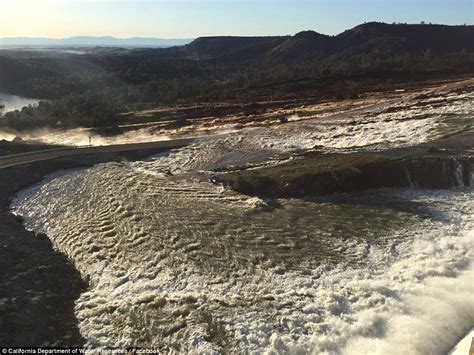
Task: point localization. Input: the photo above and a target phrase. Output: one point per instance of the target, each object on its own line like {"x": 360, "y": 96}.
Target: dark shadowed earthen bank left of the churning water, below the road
{"x": 40, "y": 284}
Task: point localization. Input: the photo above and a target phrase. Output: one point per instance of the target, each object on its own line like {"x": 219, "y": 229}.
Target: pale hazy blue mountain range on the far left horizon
{"x": 85, "y": 41}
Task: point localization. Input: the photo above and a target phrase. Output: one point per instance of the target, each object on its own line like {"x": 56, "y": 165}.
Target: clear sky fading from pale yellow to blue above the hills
{"x": 194, "y": 18}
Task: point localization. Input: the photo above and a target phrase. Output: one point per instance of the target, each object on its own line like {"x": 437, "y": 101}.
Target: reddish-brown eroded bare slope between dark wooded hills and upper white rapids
{"x": 320, "y": 102}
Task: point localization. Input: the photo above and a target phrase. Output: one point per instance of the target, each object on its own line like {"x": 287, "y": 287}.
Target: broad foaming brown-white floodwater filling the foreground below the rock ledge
{"x": 186, "y": 266}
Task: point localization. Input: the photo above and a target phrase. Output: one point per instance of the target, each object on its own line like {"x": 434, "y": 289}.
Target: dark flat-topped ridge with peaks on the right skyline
{"x": 379, "y": 39}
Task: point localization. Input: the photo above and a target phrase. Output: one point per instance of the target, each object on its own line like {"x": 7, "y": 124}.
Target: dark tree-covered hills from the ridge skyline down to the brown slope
{"x": 92, "y": 89}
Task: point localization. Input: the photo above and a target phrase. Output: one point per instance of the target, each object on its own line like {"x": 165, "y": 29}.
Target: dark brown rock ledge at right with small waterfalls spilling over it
{"x": 438, "y": 167}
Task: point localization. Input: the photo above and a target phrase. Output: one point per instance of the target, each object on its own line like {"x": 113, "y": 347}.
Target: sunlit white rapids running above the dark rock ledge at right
{"x": 406, "y": 124}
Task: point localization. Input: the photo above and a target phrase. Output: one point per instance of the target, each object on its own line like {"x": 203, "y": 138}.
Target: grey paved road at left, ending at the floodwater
{"x": 31, "y": 157}
